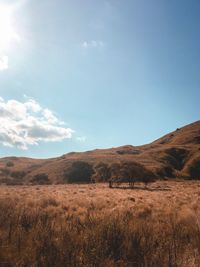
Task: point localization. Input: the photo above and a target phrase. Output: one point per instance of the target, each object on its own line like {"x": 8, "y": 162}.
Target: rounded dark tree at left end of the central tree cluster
{"x": 79, "y": 172}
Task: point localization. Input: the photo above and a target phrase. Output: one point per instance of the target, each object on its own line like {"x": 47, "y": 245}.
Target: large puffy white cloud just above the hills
{"x": 27, "y": 123}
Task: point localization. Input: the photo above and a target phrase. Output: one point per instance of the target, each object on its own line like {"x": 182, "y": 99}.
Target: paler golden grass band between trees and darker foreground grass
{"x": 161, "y": 197}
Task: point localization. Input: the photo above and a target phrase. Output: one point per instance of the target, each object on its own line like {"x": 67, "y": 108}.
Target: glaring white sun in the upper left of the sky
{"x": 7, "y": 32}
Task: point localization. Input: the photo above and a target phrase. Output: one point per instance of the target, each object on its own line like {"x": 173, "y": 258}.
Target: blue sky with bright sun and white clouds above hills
{"x": 79, "y": 75}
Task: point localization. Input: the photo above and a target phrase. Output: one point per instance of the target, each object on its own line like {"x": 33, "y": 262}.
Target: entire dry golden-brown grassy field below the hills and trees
{"x": 93, "y": 225}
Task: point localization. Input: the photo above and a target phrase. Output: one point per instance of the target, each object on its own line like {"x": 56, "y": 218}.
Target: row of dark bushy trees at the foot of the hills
{"x": 114, "y": 173}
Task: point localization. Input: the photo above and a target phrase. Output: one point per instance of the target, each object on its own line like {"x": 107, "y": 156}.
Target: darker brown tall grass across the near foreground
{"x": 34, "y": 236}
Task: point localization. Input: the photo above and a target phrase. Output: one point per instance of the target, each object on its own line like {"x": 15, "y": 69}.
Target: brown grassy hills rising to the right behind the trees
{"x": 176, "y": 154}
